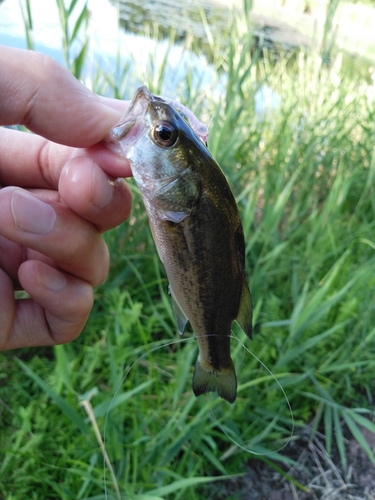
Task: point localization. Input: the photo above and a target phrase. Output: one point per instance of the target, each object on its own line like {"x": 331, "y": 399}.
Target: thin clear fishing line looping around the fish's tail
{"x": 234, "y": 441}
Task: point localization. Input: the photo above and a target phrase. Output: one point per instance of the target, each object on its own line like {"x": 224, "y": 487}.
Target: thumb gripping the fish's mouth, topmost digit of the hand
{"x": 39, "y": 93}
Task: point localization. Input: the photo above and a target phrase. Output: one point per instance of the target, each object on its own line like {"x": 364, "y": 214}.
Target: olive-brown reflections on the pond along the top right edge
{"x": 190, "y": 20}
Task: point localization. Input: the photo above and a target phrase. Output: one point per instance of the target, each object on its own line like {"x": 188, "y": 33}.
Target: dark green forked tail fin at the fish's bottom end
{"x": 222, "y": 381}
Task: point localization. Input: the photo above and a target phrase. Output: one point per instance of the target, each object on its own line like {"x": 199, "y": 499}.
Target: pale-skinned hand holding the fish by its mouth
{"x": 58, "y": 194}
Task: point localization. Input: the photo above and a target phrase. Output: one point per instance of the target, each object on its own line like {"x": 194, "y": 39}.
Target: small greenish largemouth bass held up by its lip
{"x": 196, "y": 227}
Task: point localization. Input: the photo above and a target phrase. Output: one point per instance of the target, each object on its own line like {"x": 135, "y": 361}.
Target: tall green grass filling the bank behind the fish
{"x": 303, "y": 178}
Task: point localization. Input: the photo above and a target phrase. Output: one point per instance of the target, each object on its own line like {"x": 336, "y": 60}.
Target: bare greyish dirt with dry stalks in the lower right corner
{"x": 323, "y": 477}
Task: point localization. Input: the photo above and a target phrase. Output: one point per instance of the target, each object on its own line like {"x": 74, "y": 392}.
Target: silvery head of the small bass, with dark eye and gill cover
{"x": 158, "y": 140}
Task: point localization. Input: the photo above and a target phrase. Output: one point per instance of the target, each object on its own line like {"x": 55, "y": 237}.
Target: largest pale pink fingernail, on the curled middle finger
{"x": 31, "y": 214}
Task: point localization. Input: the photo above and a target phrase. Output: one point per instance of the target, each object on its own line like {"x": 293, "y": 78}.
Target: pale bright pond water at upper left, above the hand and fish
{"x": 112, "y": 48}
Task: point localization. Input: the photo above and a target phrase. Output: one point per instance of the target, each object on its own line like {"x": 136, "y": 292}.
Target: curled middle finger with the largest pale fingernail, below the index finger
{"x": 54, "y": 230}
